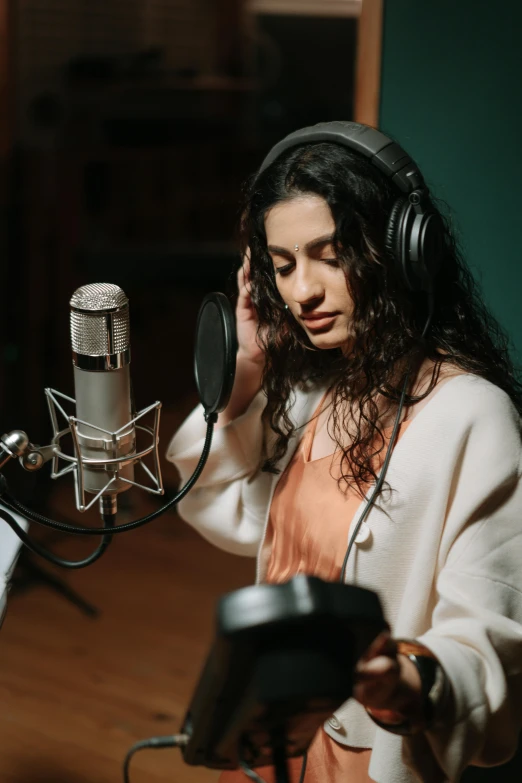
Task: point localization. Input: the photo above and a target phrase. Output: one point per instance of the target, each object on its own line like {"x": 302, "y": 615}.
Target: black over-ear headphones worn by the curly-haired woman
{"x": 415, "y": 232}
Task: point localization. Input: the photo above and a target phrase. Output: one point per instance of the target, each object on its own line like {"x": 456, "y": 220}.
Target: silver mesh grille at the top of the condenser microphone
{"x": 99, "y": 320}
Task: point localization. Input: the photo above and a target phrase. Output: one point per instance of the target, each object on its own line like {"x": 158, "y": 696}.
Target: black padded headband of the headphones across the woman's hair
{"x": 382, "y": 151}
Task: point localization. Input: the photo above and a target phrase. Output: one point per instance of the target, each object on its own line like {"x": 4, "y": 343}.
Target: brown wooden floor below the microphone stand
{"x": 77, "y": 692}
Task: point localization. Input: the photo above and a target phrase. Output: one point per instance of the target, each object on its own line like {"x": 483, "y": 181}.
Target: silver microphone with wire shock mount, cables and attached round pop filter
{"x": 104, "y": 426}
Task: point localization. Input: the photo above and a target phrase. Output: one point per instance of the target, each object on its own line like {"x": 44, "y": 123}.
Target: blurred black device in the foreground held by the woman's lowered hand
{"x": 282, "y": 662}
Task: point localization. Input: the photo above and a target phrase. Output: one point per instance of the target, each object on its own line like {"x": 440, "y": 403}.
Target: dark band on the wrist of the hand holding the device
{"x": 434, "y": 689}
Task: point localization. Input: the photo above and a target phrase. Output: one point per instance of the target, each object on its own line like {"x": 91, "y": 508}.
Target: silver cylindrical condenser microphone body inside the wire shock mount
{"x": 100, "y": 341}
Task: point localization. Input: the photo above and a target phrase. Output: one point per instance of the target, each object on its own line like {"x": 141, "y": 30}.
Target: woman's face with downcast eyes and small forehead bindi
{"x": 300, "y": 242}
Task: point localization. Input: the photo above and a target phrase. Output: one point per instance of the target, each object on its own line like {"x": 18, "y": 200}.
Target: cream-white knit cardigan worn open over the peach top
{"x": 444, "y": 555}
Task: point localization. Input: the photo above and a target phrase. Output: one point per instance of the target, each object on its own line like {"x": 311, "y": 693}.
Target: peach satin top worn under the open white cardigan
{"x": 309, "y": 530}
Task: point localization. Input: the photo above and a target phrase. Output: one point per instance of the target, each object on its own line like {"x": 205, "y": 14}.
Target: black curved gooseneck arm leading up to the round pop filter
{"x": 15, "y": 505}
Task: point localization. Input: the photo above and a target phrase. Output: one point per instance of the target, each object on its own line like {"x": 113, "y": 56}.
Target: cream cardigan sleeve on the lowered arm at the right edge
{"x": 476, "y": 627}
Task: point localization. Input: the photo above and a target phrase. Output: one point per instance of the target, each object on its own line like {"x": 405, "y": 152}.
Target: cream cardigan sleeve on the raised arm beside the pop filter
{"x": 228, "y": 504}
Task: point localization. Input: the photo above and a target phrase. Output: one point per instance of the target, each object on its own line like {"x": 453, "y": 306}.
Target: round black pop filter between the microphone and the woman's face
{"x": 215, "y": 353}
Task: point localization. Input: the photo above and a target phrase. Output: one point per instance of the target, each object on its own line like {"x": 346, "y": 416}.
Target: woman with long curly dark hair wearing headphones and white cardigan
{"x": 344, "y": 359}
